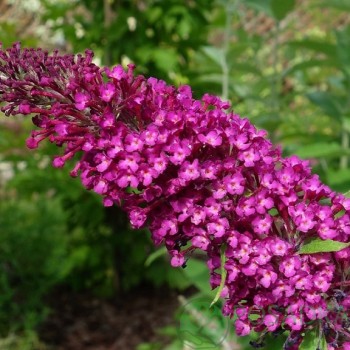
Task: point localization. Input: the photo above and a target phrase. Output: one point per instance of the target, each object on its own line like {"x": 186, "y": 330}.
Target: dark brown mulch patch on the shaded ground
{"x": 83, "y": 322}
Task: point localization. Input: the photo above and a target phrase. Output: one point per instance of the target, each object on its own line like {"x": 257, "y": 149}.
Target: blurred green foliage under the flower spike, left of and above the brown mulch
{"x": 55, "y": 232}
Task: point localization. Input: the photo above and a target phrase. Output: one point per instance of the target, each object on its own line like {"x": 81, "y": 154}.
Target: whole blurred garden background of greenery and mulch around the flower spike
{"x": 72, "y": 273}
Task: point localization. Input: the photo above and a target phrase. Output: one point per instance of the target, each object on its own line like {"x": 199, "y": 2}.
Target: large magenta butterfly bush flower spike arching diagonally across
{"x": 201, "y": 178}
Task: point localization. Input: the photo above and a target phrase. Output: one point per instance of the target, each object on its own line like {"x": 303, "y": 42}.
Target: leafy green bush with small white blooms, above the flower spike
{"x": 161, "y": 36}
